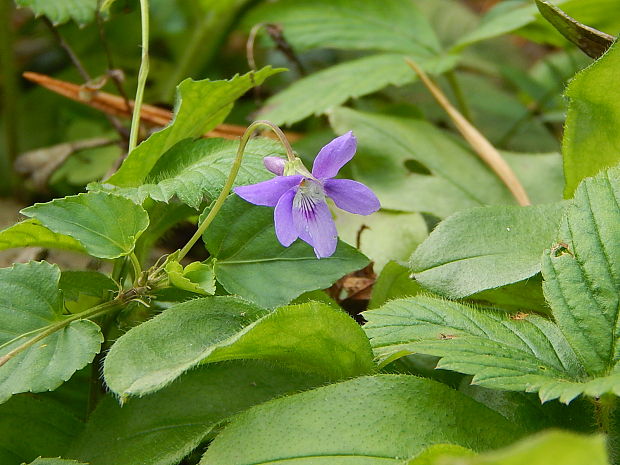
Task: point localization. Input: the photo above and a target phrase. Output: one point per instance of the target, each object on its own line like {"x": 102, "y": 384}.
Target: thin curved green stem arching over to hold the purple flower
{"x": 231, "y": 179}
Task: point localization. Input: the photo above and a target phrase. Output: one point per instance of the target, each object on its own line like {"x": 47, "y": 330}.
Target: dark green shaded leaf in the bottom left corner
{"x": 33, "y": 425}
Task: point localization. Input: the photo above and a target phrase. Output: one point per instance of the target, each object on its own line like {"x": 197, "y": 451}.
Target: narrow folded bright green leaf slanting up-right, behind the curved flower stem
{"x": 201, "y": 106}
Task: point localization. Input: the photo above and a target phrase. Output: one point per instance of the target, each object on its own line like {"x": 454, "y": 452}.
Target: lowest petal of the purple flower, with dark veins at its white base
{"x": 315, "y": 225}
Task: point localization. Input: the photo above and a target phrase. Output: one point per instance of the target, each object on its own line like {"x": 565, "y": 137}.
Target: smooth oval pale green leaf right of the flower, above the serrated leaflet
{"x": 485, "y": 248}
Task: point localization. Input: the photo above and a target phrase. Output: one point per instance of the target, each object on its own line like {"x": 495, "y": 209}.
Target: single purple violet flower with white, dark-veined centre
{"x": 299, "y": 196}
